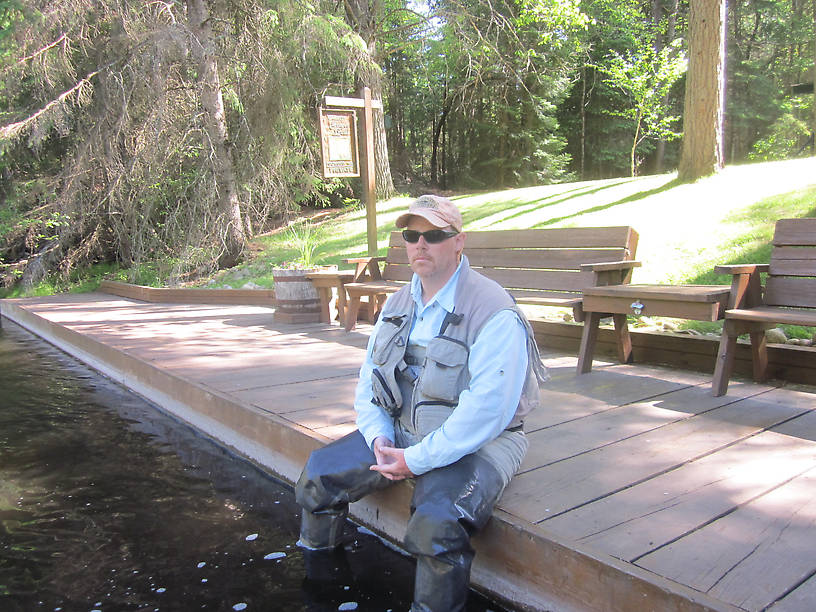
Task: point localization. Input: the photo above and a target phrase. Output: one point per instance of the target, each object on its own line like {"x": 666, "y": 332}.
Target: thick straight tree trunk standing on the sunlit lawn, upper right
{"x": 705, "y": 91}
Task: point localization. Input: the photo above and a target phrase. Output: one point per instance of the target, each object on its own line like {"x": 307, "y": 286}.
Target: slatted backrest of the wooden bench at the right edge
{"x": 792, "y": 271}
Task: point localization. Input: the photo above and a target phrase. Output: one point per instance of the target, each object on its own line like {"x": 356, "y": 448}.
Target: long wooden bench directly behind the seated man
{"x": 543, "y": 267}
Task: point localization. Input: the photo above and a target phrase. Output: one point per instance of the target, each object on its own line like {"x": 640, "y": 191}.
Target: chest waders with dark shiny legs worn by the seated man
{"x": 449, "y": 504}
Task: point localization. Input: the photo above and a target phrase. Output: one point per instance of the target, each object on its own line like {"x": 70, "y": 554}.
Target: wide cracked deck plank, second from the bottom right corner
{"x": 753, "y": 555}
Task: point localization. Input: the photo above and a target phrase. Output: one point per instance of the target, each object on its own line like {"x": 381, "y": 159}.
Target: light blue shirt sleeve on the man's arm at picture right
{"x": 498, "y": 368}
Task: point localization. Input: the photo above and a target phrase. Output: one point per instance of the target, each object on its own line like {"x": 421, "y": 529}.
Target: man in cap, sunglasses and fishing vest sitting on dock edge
{"x": 451, "y": 370}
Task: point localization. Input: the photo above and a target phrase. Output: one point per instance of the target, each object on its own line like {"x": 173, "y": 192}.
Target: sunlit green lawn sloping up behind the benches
{"x": 685, "y": 229}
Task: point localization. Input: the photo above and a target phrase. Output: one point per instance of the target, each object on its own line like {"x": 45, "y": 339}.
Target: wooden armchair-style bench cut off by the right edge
{"x": 789, "y": 297}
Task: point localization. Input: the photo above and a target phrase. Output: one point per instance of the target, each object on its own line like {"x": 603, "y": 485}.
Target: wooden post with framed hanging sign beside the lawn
{"x": 340, "y": 132}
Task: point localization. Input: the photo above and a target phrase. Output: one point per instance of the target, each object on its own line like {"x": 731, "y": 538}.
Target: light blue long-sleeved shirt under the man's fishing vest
{"x": 497, "y": 365}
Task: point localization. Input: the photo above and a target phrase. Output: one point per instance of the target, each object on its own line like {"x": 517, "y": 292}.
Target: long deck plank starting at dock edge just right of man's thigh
{"x": 551, "y": 490}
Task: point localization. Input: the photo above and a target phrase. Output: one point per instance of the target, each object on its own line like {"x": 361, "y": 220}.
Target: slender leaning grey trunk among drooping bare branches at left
{"x": 215, "y": 127}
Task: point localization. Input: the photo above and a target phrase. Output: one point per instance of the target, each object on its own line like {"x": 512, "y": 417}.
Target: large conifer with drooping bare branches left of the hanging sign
{"x": 160, "y": 133}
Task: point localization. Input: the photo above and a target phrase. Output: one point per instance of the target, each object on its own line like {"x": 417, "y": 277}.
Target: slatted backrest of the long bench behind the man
{"x": 534, "y": 263}
